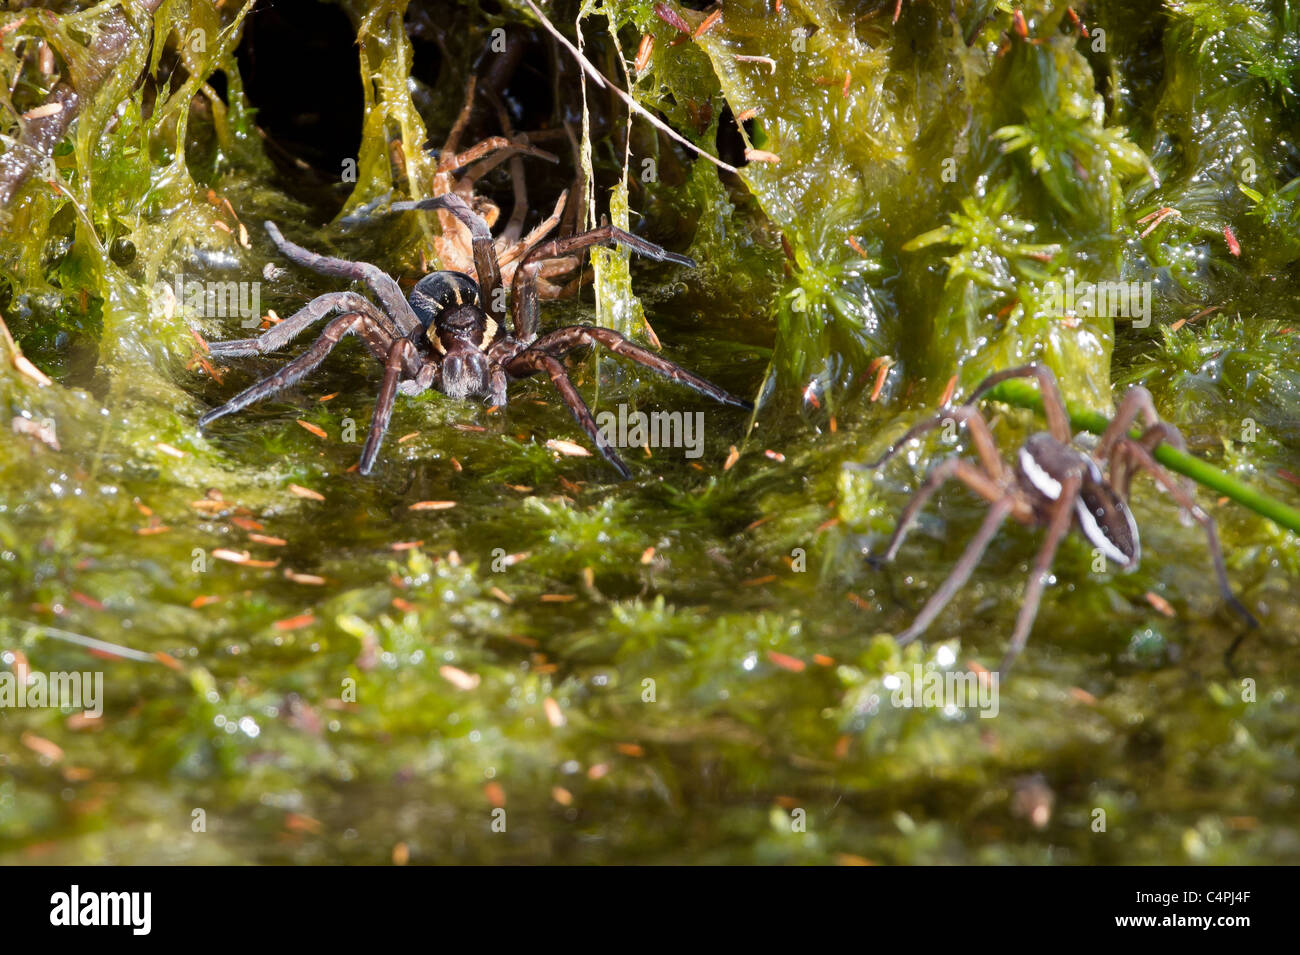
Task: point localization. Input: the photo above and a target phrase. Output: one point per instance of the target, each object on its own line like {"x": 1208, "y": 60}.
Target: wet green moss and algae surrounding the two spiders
{"x": 491, "y": 649}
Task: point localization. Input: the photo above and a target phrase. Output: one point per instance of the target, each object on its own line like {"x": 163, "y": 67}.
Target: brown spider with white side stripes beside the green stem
{"x": 1056, "y": 484}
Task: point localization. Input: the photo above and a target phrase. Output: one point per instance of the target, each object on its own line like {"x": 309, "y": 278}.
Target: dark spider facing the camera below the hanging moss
{"x": 443, "y": 338}
